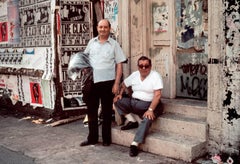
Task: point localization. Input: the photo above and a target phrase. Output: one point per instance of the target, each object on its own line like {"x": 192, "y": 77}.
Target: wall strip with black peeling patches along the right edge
{"x": 231, "y": 77}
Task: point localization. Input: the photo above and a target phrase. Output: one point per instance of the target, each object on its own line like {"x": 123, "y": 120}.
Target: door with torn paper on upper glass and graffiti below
{"x": 191, "y": 54}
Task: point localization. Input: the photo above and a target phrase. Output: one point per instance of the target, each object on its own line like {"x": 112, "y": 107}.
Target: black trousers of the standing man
{"x": 100, "y": 93}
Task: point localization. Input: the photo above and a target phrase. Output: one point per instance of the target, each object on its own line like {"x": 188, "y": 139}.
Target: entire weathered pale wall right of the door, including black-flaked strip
{"x": 223, "y": 75}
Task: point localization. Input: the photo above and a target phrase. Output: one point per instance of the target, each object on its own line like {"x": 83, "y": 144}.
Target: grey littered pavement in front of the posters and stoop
{"x": 30, "y": 140}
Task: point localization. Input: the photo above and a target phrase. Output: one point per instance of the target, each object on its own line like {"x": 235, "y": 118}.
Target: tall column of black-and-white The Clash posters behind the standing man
{"x": 75, "y": 34}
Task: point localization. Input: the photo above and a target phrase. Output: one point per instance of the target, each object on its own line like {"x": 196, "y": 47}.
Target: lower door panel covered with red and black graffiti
{"x": 192, "y": 76}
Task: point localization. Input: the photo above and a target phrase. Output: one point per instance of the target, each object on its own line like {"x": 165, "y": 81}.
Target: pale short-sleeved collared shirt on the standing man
{"x": 103, "y": 58}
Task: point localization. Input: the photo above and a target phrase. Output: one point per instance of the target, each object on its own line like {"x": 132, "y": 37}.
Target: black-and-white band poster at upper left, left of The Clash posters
{"x": 35, "y": 23}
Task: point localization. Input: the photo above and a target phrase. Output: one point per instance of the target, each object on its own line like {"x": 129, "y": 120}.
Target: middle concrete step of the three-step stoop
{"x": 181, "y": 124}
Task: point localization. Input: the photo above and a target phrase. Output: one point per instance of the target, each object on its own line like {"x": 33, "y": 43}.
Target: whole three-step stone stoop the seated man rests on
{"x": 179, "y": 133}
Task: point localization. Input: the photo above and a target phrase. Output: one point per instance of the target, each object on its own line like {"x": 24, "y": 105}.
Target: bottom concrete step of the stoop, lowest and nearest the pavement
{"x": 163, "y": 143}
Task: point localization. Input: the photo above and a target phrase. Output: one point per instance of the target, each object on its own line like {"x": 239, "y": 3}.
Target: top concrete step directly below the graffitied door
{"x": 188, "y": 107}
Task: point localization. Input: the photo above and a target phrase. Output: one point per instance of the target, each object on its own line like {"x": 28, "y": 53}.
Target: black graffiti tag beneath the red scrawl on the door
{"x": 195, "y": 86}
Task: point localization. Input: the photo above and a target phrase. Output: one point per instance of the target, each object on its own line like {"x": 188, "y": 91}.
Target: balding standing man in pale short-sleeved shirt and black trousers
{"x": 106, "y": 57}
